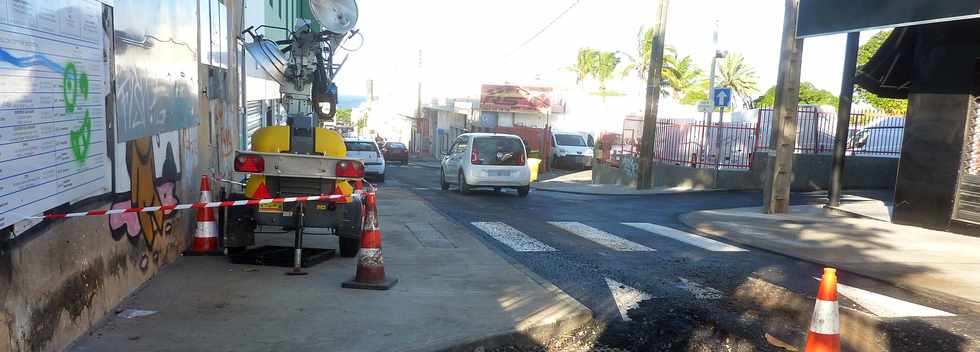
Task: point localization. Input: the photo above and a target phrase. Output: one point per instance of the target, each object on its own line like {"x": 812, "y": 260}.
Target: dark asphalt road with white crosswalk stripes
{"x": 582, "y": 244}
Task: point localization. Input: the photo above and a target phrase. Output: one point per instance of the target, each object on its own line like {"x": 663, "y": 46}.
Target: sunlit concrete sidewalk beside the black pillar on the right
{"x": 933, "y": 262}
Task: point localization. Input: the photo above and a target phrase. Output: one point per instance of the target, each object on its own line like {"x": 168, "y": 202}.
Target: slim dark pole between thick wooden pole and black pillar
{"x": 843, "y": 117}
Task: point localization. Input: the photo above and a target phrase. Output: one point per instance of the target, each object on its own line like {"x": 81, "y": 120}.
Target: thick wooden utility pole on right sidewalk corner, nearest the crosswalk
{"x": 780, "y": 168}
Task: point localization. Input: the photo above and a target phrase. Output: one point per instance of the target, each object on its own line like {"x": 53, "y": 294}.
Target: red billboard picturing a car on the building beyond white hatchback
{"x": 510, "y": 98}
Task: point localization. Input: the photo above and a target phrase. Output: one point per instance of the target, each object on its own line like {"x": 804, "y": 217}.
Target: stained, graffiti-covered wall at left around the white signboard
{"x": 58, "y": 278}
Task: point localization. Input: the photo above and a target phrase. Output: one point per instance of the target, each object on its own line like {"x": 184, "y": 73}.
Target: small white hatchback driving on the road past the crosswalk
{"x": 486, "y": 160}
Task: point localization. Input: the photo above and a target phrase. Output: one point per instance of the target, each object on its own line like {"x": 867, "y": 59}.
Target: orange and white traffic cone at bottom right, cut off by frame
{"x": 824, "y": 335}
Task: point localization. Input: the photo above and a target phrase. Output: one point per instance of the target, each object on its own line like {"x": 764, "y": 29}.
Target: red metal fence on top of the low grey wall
{"x": 732, "y": 145}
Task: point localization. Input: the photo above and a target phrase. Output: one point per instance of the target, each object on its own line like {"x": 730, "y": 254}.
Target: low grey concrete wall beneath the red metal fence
{"x": 811, "y": 172}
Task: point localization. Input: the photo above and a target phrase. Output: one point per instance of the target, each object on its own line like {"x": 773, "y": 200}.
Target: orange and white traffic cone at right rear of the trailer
{"x": 370, "y": 264}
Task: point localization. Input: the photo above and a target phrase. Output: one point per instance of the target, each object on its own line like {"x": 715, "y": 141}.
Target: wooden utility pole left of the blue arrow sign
{"x": 644, "y": 176}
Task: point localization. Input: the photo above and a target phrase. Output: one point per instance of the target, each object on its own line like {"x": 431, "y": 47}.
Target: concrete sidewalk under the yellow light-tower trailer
{"x": 452, "y": 290}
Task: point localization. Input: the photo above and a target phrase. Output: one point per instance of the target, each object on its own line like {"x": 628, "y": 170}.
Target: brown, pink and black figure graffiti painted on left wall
{"x": 150, "y": 176}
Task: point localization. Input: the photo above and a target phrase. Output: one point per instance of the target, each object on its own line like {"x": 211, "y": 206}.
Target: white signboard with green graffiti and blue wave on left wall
{"x": 52, "y": 105}
